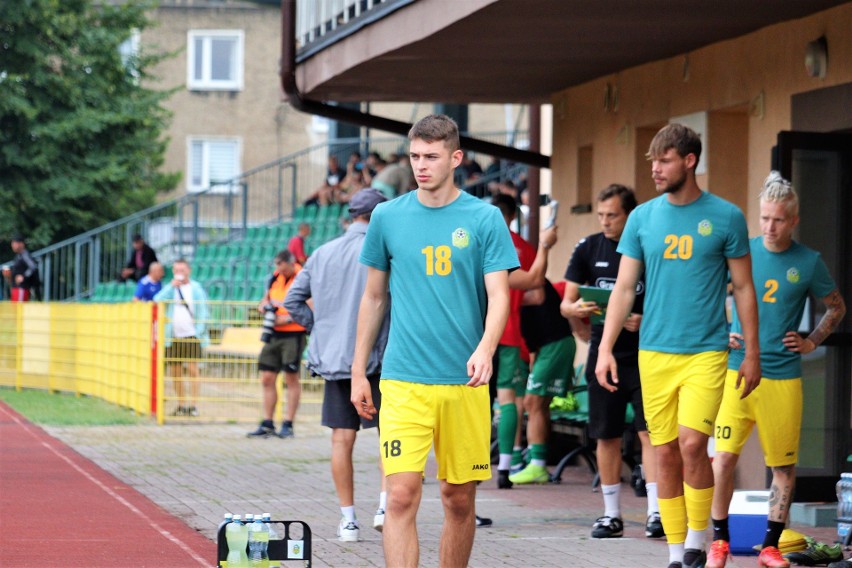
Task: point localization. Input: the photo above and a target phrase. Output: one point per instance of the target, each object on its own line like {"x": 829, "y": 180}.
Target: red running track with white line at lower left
{"x": 57, "y": 508}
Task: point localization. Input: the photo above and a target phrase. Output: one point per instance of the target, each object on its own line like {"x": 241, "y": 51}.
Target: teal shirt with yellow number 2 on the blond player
{"x": 782, "y": 281}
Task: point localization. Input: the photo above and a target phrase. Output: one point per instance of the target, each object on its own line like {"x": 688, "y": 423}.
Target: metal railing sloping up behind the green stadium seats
{"x": 224, "y": 212}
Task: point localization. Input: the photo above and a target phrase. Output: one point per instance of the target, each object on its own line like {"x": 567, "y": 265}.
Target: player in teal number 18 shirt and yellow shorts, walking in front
{"x": 444, "y": 255}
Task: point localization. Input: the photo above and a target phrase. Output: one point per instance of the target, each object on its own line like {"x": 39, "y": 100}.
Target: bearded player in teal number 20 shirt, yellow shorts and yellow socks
{"x": 686, "y": 241}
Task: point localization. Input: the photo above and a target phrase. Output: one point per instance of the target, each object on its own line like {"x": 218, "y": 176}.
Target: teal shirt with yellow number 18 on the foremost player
{"x": 437, "y": 259}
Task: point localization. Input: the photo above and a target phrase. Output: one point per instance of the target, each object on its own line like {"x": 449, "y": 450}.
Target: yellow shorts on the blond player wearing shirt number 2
{"x": 776, "y": 407}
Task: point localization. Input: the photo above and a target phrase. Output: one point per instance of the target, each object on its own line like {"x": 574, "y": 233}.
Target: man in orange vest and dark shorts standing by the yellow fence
{"x": 282, "y": 350}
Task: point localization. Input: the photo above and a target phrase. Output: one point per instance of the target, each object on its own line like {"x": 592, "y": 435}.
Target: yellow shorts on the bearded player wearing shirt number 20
{"x": 681, "y": 390}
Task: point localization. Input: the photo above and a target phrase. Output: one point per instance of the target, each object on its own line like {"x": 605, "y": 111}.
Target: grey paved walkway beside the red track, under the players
{"x": 199, "y": 472}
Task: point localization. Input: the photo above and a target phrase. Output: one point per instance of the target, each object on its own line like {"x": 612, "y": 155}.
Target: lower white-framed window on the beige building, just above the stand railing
{"x": 212, "y": 162}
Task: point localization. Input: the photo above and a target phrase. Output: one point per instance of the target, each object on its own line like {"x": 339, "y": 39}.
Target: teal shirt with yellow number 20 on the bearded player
{"x": 685, "y": 250}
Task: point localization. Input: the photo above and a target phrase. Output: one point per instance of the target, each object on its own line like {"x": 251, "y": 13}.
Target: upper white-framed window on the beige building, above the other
{"x": 215, "y": 60}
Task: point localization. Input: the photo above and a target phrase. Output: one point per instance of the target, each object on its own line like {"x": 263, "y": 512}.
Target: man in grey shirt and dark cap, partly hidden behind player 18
{"x": 335, "y": 280}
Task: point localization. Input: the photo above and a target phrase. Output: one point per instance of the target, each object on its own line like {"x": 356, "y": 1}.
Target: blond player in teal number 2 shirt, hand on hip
{"x": 785, "y": 273}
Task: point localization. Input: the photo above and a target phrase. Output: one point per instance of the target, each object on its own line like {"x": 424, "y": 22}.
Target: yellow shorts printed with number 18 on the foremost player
{"x": 455, "y": 417}
